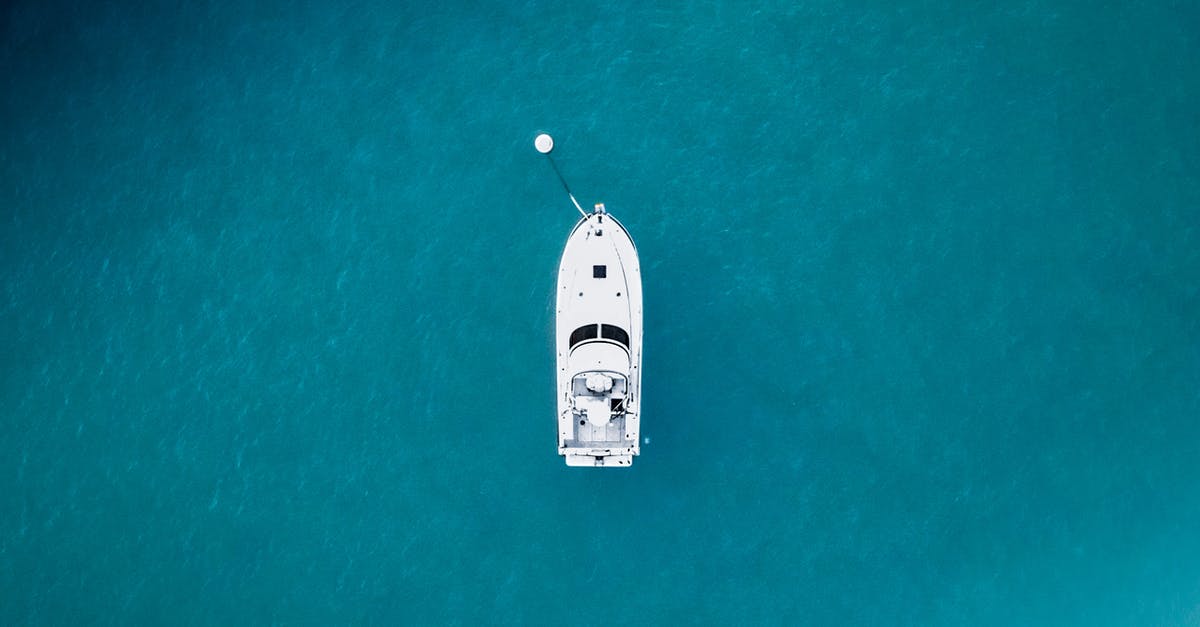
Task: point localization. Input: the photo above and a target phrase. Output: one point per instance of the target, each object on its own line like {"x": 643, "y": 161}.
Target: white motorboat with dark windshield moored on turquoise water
{"x": 599, "y": 344}
